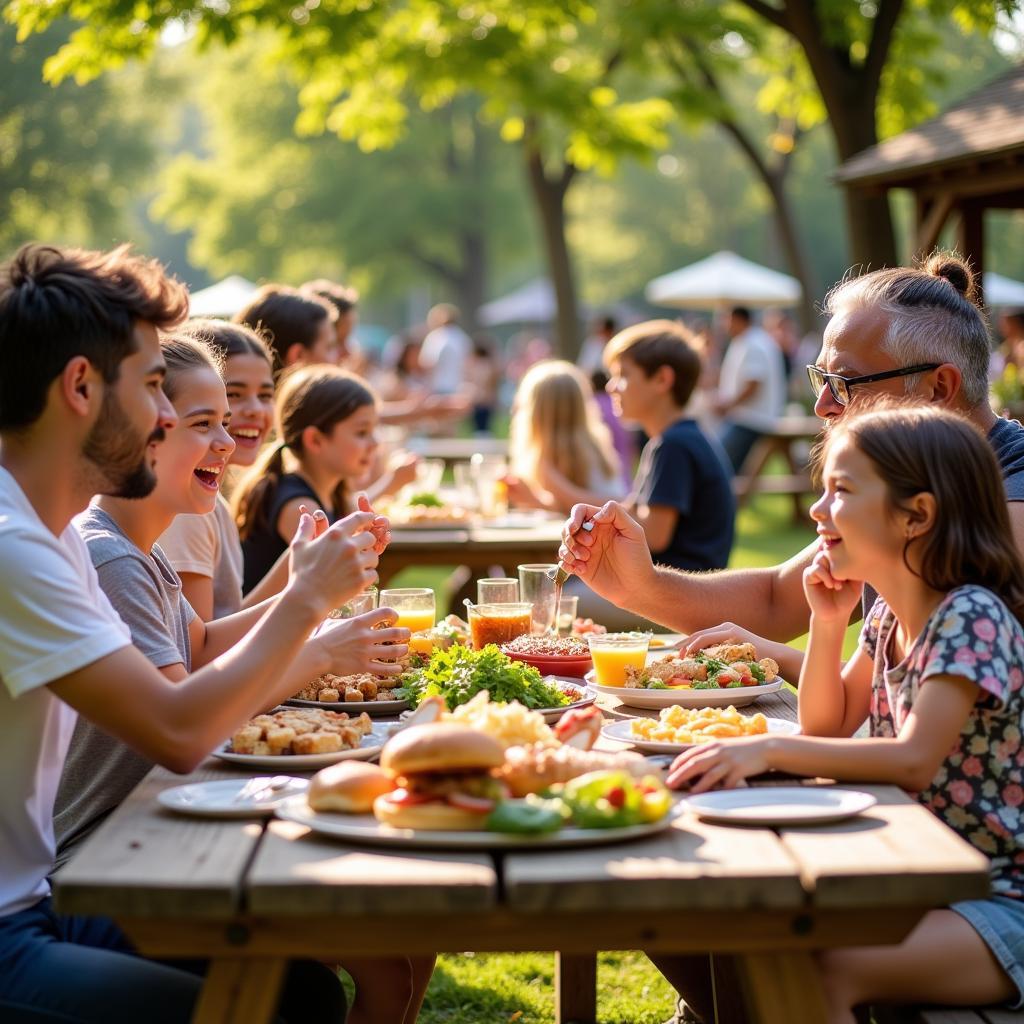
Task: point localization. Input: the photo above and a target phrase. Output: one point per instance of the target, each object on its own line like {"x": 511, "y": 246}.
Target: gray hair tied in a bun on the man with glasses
{"x": 932, "y": 318}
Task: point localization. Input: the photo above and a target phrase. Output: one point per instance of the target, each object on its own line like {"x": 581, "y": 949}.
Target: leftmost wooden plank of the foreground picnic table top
{"x": 147, "y": 862}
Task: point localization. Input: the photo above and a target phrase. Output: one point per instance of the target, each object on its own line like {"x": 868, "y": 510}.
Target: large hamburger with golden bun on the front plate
{"x": 443, "y": 779}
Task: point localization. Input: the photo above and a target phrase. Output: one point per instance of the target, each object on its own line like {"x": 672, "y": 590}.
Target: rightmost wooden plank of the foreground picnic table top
{"x": 895, "y": 855}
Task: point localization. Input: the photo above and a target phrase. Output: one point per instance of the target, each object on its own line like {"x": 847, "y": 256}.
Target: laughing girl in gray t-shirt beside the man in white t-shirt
{"x": 101, "y": 772}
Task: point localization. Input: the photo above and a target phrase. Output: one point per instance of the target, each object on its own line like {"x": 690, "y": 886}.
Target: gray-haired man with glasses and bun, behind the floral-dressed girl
{"x": 897, "y": 332}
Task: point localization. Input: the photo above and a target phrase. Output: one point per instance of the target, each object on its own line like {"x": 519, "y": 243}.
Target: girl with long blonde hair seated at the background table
{"x": 562, "y": 450}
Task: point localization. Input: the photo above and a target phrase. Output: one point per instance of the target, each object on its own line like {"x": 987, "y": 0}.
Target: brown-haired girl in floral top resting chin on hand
{"x": 914, "y": 505}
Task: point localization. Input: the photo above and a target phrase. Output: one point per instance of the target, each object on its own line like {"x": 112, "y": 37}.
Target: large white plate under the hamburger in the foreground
{"x": 366, "y": 829}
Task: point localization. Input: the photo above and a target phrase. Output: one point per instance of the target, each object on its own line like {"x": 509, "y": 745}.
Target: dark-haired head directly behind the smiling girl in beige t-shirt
{"x": 298, "y": 327}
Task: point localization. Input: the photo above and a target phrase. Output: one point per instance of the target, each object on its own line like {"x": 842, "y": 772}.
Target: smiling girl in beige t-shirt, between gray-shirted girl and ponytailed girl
{"x": 205, "y": 550}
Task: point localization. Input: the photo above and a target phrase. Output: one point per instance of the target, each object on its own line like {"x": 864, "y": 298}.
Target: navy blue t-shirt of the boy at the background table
{"x": 682, "y": 470}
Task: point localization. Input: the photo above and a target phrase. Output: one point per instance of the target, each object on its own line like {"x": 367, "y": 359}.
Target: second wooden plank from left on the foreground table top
{"x": 297, "y": 873}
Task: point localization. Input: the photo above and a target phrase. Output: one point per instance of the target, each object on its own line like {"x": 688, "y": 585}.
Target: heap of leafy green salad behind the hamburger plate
{"x": 460, "y": 673}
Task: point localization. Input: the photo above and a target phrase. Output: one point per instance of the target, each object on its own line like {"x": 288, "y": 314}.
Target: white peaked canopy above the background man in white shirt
{"x": 724, "y": 279}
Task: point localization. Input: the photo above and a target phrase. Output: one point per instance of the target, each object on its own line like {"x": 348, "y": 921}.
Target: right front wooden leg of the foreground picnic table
{"x": 783, "y": 988}
